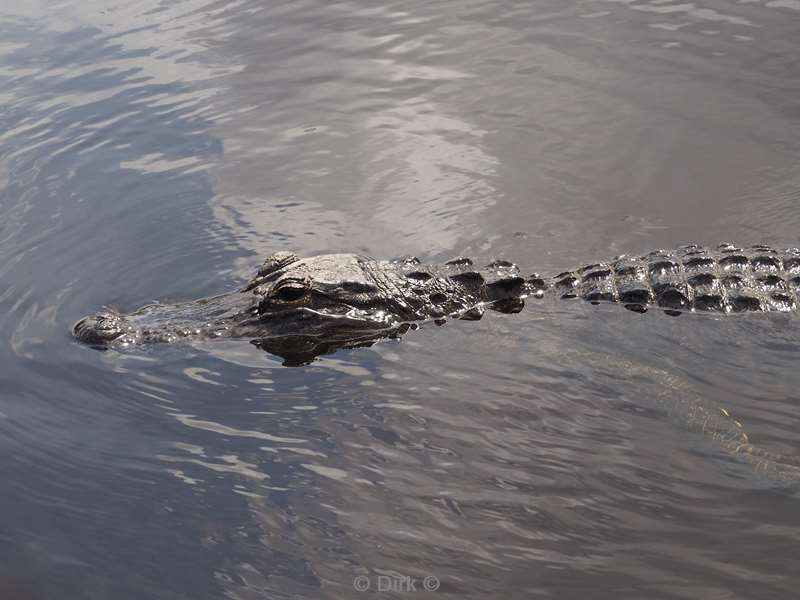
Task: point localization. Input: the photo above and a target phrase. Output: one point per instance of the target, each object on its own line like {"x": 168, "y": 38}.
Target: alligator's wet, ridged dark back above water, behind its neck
{"x": 723, "y": 279}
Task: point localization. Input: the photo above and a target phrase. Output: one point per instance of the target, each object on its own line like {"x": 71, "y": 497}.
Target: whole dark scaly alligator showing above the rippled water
{"x": 299, "y": 308}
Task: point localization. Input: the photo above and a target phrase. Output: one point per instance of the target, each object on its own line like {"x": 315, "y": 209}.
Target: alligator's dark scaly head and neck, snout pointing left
{"x": 301, "y": 307}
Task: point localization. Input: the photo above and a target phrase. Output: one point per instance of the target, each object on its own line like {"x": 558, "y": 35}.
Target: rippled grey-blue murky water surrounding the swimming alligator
{"x": 158, "y": 150}
